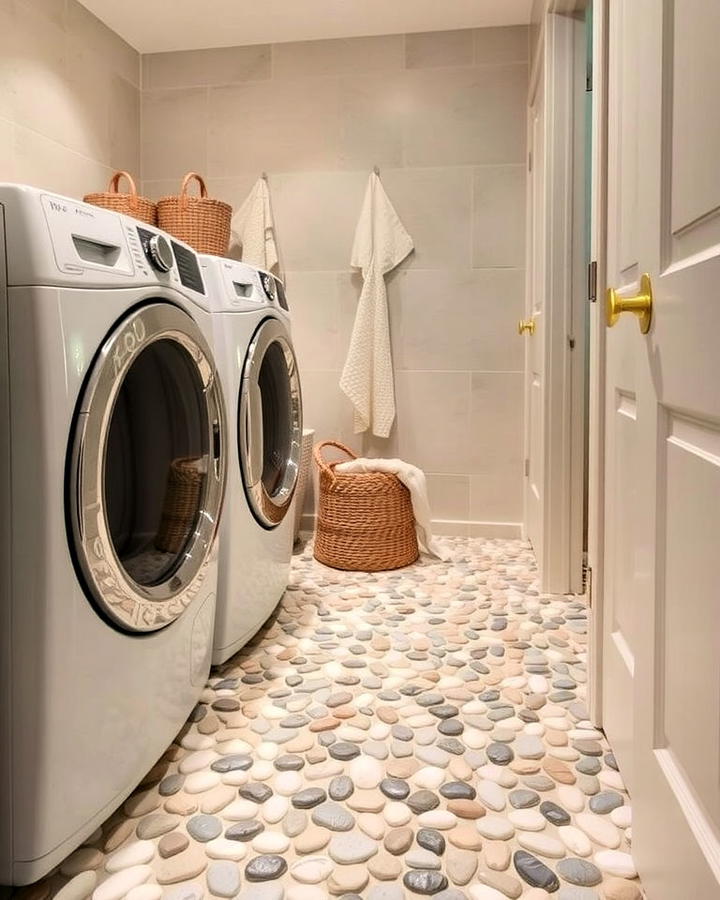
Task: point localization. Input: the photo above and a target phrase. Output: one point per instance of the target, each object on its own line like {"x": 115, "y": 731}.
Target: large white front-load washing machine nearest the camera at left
{"x": 112, "y": 458}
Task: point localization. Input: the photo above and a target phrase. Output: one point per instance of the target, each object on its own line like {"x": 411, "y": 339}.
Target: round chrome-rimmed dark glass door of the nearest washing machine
{"x": 147, "y": 468}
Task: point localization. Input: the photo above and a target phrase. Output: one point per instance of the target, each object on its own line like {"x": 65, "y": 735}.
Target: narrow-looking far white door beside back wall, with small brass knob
{"x": 534, "y": 332}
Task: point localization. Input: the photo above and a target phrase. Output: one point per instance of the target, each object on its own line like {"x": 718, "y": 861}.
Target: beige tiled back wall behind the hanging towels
{"x": 443, "y": 116}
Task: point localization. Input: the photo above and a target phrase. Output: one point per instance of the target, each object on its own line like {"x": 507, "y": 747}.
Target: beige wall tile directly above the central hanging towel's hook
{"x": 371, "y": 121}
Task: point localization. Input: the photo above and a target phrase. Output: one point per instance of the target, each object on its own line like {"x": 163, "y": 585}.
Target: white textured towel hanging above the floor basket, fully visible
{"x": 381, "y": 243}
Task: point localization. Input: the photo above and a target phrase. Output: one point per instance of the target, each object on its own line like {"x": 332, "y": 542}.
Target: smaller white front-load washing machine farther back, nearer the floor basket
{"x": 257, "y": 365}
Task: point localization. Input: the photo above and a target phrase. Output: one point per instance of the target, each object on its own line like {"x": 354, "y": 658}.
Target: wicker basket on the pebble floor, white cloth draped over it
{"x": 365, "y": 520}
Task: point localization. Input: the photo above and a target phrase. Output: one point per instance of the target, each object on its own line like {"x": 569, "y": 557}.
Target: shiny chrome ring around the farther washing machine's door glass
{"x": 269, "y": 509}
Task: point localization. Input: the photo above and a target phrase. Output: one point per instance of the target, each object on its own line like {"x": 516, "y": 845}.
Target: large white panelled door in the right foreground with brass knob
{"x": 661, "y": 641}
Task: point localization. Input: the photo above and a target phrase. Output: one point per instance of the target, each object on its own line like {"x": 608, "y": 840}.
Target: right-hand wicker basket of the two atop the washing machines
{"x": 201, "y": 222}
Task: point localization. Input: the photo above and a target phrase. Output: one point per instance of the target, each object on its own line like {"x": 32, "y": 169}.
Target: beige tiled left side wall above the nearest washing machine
{"x": 69, "y": 97}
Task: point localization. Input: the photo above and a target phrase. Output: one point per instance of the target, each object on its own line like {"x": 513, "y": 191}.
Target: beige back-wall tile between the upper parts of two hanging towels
{"x": 315, "y": 217}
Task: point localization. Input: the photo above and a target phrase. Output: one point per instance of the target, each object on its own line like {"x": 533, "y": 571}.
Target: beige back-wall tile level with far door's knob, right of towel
{"x": 460, "y": 319}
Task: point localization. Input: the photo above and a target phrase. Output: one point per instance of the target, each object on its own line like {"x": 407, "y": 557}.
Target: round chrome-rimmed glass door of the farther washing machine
{"x": 270, "y": 423}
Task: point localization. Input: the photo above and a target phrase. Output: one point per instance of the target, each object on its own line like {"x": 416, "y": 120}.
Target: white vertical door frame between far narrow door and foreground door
{"x": 563, "y": 457}
